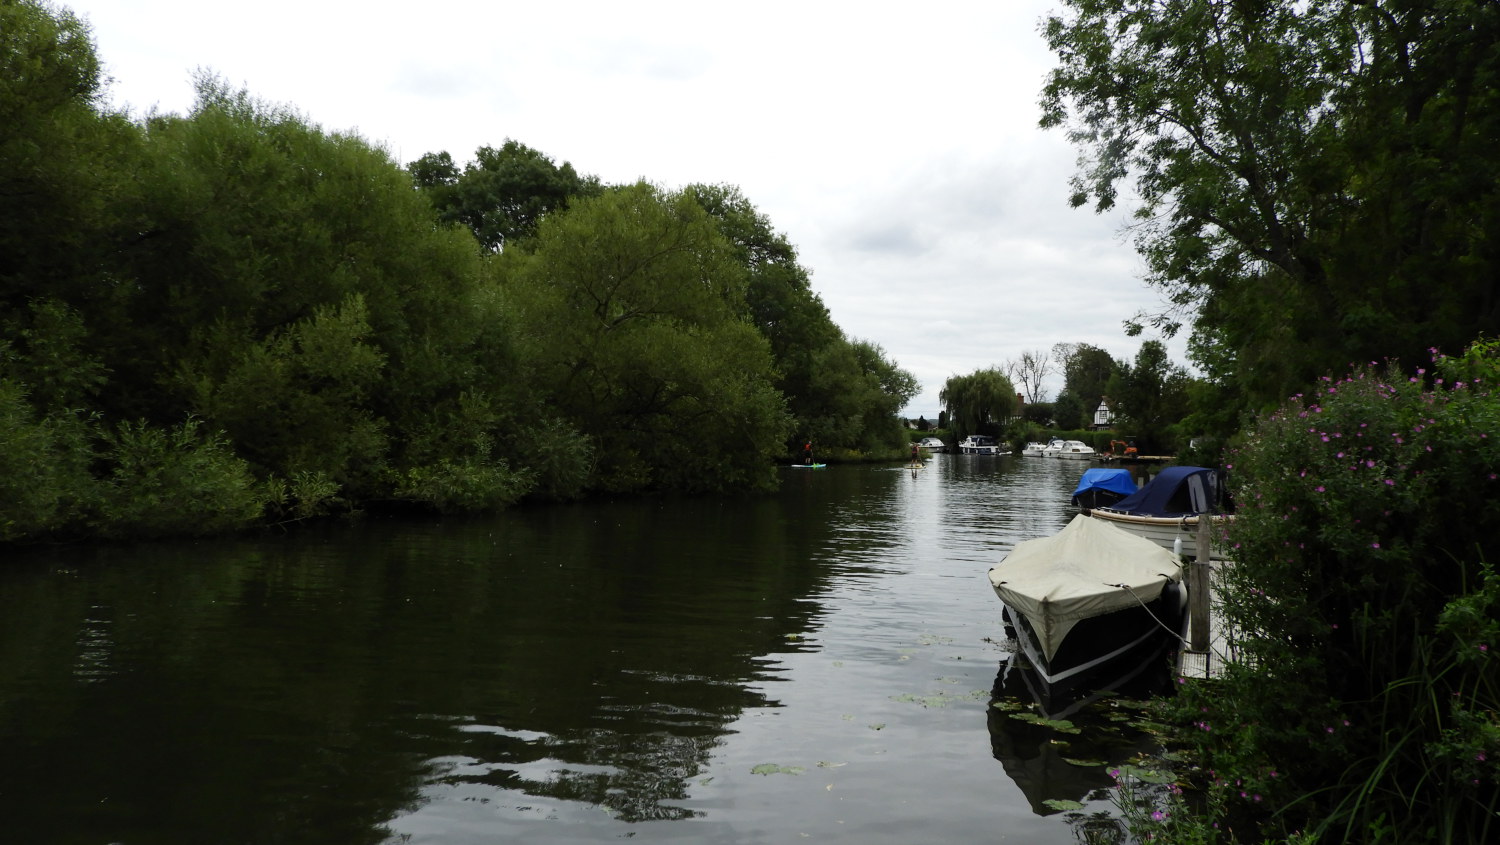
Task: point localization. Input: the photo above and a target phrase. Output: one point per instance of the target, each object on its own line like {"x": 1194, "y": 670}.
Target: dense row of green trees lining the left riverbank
{"x": 233, "y": 316}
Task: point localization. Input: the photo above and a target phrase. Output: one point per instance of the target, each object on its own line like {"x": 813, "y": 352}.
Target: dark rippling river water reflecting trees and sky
{"x": 814, "y": 666}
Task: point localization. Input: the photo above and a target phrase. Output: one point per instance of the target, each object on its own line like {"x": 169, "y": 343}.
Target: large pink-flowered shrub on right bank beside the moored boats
{"x": 1366, "y": 702}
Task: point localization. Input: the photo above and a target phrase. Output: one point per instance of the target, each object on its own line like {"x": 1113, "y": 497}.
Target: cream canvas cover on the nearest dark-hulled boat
{"x": 1088, "y": 570}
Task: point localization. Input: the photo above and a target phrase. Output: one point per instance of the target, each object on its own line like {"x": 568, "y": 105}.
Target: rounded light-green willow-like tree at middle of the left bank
{"x": 632, "y": 314}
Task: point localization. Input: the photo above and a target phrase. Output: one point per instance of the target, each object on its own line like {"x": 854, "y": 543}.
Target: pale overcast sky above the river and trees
{"x": 895, "y": 145}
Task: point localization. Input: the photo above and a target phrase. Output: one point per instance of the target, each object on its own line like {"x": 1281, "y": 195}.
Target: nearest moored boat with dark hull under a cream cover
{"x": 1087, "y": 597}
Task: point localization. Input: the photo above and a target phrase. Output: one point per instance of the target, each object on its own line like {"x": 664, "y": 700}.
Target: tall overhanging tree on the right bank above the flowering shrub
{"x": 1318, "y": 179}
